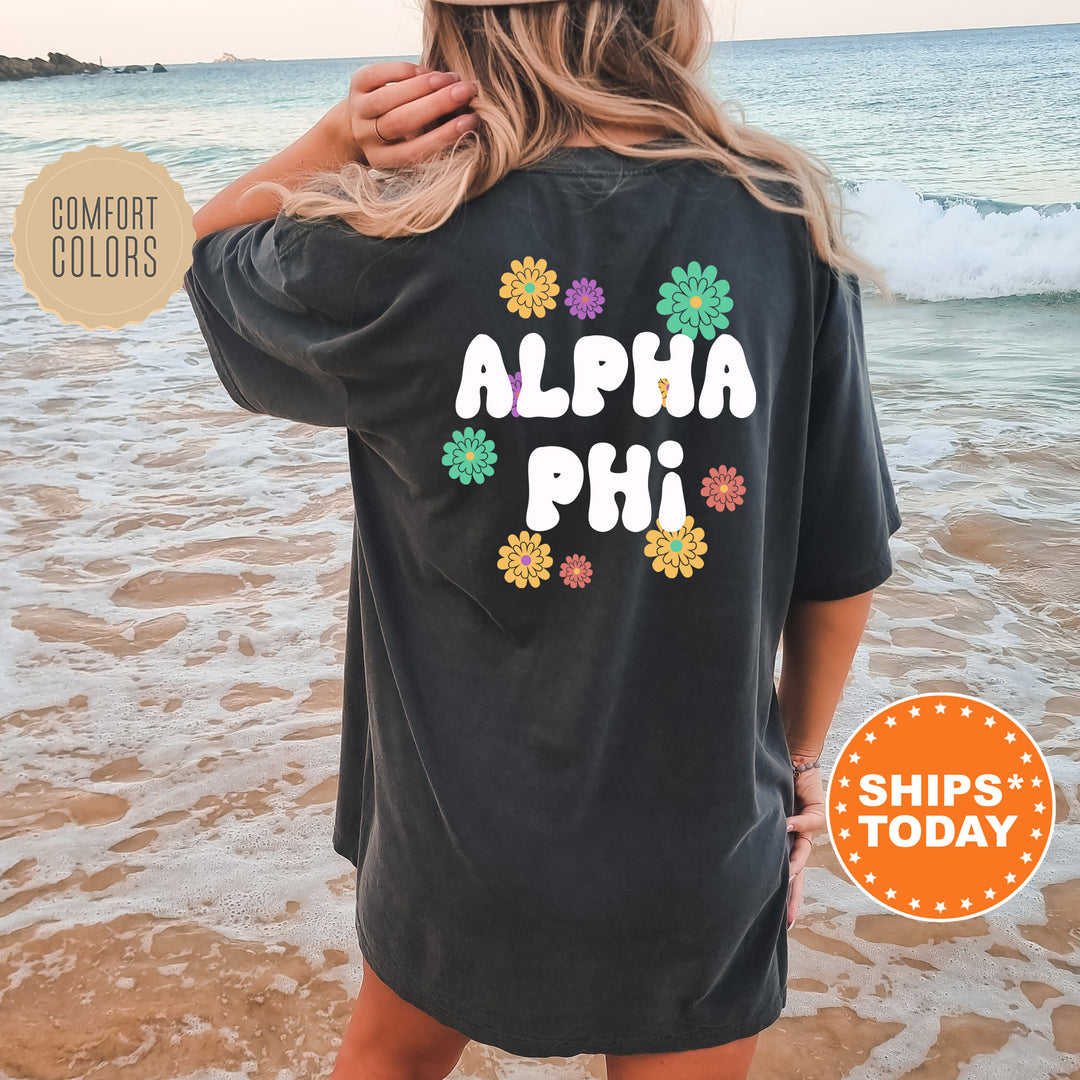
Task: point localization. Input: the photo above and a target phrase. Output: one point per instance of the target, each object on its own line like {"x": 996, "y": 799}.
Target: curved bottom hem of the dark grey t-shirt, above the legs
{"x": 564, "y": 1045}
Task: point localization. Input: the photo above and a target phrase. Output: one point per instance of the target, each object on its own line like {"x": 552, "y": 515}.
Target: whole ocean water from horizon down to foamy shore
{"x": 175, "y": 573}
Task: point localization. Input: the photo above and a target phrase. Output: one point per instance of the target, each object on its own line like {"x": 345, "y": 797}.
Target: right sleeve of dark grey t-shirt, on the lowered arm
{"x": 849, "y": 507}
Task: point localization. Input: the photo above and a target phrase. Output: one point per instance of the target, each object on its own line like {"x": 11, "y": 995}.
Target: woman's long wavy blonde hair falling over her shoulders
{"x": 549, "y": 73}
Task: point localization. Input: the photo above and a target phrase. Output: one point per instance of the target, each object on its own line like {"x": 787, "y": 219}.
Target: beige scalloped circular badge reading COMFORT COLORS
{"x": 103, "y": 237}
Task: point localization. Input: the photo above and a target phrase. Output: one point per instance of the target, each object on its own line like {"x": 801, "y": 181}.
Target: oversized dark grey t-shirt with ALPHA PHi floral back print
{"x": 604, "y": 425}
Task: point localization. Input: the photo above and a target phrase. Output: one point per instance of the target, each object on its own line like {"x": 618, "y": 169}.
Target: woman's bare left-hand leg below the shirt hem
{"x": 389, "y": 1039}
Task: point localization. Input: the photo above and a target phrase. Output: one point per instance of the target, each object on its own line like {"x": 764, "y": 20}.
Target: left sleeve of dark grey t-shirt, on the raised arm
{"x": 245, "y": 285}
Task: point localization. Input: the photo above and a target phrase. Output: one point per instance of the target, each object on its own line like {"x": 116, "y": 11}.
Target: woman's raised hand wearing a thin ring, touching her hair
{"x": 420, "y": 113}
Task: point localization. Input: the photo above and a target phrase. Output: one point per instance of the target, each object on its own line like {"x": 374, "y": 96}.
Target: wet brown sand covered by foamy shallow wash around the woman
{"x": 174, "y": 626}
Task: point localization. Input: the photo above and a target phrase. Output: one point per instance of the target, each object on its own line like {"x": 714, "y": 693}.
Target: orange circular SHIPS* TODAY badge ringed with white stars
{"x": 941, "y": 807}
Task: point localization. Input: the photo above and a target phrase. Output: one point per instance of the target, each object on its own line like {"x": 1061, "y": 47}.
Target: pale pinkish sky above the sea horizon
{"x": 145, "y": 32}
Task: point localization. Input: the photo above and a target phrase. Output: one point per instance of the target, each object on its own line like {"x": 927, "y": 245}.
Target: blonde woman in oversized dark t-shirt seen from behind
{"x": 598, "y": 350}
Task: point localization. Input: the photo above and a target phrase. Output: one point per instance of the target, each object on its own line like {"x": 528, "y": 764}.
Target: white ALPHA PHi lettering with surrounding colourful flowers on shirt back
{"x": 696, "y": 302}
